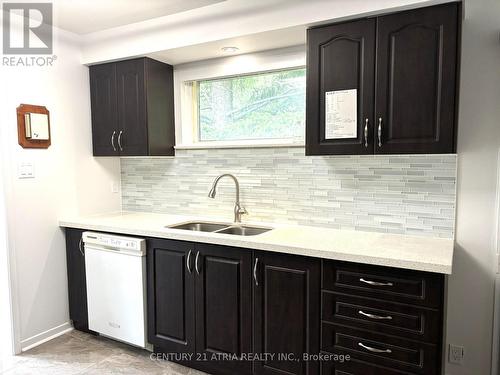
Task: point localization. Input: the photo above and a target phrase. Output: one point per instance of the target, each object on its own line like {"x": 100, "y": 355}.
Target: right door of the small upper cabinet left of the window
{"x": 132, "y": 119}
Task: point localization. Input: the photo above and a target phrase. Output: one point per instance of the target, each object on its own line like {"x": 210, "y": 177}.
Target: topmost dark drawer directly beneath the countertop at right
{"x": 411, "y": 287}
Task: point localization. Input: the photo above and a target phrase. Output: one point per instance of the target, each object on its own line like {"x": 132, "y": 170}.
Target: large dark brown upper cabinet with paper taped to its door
{"x": 404, "y": 67}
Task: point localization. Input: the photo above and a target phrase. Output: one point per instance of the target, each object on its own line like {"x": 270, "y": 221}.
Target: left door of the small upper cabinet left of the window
{"x": 104, "y": 117}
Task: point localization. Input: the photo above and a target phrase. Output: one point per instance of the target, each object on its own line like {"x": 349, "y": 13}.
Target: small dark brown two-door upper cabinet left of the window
{"x": 132, "y": 108}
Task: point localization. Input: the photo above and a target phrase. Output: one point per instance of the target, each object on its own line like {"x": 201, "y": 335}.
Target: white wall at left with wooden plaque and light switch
{"x": 68, "y": 181}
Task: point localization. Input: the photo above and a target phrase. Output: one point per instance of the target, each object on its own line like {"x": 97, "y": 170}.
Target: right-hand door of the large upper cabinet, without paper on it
{"x": 416, "y": 81}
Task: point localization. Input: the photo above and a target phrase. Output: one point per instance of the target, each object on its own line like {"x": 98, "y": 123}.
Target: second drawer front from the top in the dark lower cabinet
{"x": 381, "y": 316}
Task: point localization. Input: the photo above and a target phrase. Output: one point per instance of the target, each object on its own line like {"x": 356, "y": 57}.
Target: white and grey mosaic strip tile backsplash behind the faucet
{"x": 411, "y": 194}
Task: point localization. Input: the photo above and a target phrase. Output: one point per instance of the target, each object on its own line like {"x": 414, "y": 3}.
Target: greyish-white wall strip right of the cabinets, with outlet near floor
{"x": 471, "y": 287}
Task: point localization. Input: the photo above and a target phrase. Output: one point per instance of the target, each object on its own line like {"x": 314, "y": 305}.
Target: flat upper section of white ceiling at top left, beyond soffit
{"x": 87, "y": 16}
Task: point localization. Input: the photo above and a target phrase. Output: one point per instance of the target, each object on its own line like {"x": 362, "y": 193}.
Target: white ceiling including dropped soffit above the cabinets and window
{"x": 182, "y": 31}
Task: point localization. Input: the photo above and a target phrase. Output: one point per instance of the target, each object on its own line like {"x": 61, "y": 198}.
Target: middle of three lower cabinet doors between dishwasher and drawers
{"x": 224, "y": 308}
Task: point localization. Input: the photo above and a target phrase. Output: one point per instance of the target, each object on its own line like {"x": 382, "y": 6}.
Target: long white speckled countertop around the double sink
{"x": 392, "y": 250}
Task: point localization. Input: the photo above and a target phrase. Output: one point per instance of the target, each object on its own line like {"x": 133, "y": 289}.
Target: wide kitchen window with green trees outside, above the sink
{"x": 251, "y": 107}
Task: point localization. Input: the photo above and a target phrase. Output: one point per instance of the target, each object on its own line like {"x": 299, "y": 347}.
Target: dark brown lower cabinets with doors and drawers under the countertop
{"x": 226, "y": 310}
